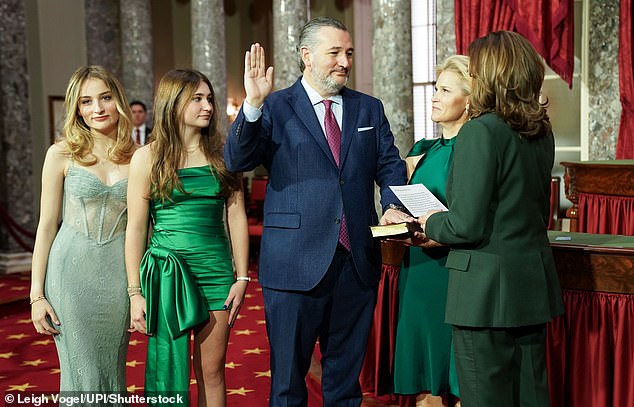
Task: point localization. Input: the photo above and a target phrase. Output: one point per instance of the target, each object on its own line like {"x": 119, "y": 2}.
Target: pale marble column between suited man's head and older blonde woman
{"x": 392, "y": 67}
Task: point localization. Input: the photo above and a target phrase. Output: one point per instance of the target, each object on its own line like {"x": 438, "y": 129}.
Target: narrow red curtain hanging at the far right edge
{"x": 625, "y": 143}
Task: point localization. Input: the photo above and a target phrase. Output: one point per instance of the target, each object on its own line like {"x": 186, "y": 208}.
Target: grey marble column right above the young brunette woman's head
{"x": 208, "y": 49}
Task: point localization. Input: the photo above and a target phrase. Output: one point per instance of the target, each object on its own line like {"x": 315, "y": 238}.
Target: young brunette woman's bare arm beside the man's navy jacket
{"x": 239, "y": 235}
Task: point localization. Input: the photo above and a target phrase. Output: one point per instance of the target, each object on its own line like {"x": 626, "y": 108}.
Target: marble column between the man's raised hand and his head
{"x": 289, "y": 16}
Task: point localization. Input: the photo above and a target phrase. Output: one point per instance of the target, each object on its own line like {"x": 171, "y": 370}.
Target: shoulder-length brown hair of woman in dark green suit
{"x": 507, "y": 76}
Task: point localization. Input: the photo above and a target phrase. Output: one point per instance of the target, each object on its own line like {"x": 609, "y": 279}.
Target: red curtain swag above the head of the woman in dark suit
{"x": 547, "y": 24}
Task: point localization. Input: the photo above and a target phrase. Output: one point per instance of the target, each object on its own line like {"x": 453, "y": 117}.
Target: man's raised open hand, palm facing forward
{"x": 258, "y": 80}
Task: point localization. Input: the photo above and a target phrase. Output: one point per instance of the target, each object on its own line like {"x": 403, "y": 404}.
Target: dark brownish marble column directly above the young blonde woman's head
{"x": 103, "y": 34}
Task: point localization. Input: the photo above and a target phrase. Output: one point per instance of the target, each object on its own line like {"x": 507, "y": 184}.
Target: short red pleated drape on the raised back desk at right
{"x": 606, "y": 214}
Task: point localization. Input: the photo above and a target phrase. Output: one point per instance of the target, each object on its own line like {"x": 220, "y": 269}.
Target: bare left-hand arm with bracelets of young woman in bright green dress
{"x": 137, "y": 232}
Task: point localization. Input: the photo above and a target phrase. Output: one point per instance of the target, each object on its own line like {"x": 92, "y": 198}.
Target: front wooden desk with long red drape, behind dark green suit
{"x": 590, "y": 349}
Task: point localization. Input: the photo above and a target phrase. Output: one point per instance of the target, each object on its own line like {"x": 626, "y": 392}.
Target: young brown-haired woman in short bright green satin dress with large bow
{"x": 184, "y": 279}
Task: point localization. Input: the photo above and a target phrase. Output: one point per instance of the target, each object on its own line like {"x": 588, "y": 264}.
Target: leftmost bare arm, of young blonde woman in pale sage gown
{"x": 53, "y": 173}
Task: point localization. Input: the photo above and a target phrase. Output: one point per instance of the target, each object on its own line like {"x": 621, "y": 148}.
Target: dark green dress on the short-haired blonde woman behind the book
{"x": 423, "y": 360}
